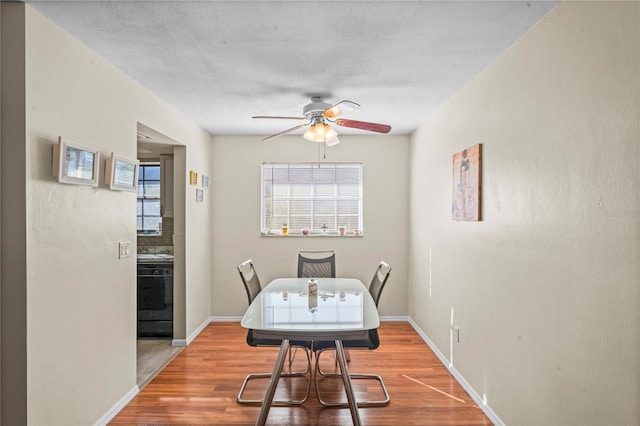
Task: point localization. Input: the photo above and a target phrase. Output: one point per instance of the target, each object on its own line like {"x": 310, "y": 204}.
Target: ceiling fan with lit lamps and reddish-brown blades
{"x": 318, "y": 114}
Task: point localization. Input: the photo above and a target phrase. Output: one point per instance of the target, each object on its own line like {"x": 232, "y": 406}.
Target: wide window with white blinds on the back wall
{"x": 319, "y": 197}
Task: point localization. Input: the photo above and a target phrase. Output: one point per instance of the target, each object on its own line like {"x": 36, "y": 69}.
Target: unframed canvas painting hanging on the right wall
{"x": 467, "y": 168}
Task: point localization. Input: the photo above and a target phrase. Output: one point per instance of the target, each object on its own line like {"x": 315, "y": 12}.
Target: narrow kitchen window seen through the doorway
{"x": 149, "y": 218}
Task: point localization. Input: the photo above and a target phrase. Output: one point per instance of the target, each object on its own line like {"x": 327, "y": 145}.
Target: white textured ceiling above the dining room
{"x": 221, "y": 62}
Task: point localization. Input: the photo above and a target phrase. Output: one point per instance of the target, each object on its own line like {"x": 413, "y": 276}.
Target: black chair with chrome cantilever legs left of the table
{"x": 253, "y": 287}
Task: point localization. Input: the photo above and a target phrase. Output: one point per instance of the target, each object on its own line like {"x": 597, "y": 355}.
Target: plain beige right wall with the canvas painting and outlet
{"x": 544, "y": 288}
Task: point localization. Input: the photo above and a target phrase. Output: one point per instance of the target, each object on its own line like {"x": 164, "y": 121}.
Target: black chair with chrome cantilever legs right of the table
{"x": 372, "y": 342}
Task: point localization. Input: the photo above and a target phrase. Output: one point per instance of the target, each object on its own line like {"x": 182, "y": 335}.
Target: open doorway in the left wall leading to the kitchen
{"x": 160, "y": 241}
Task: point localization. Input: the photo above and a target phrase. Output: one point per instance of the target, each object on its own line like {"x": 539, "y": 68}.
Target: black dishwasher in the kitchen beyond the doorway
{"x": 155, "y": 300}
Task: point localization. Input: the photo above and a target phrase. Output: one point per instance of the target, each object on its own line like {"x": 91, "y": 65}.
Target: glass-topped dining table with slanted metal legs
{"x": 322, "y": 309}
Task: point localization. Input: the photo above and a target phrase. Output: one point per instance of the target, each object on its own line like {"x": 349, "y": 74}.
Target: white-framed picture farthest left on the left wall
{"x": 75, "y": 163}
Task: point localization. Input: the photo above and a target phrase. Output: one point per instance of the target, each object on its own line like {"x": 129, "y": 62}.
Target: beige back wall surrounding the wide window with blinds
{"x": 236, "y": 217}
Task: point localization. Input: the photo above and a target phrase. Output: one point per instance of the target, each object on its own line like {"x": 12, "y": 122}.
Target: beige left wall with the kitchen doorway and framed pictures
{"x": 80, "y": 299}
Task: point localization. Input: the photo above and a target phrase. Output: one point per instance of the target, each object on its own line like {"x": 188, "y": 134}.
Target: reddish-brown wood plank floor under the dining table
{"x": 201, "y": 383}
